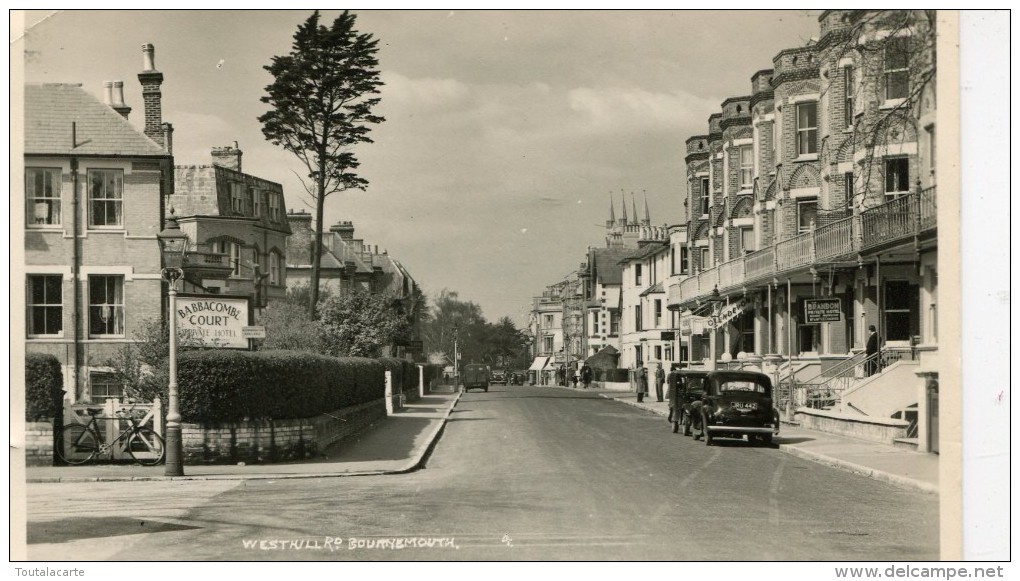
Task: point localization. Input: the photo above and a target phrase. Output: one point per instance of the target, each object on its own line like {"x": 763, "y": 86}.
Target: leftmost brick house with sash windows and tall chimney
{"x": 94, "y": 187}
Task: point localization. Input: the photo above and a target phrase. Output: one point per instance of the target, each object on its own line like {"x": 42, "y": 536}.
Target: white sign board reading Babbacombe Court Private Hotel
{"x": 213, "y": 322}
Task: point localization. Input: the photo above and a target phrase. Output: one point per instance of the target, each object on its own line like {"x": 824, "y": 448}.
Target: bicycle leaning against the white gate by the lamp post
{"x": 80, "y": 444}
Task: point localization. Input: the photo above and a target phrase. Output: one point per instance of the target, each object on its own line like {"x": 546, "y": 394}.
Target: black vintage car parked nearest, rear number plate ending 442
{"x": 735, "y": 404}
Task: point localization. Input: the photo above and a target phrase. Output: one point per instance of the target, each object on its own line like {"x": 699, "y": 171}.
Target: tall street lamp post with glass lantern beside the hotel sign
{"x": 173, "y": 246}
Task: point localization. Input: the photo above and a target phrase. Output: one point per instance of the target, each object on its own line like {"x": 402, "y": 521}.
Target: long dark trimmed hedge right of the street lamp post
{"x": 228, "y": 386}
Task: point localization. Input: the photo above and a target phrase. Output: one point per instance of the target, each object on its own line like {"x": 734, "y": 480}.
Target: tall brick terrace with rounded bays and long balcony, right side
{"x": 819, "y": 188}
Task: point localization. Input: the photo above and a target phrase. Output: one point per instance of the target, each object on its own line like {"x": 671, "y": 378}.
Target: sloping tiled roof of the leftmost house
{"x": 52, "y": 109}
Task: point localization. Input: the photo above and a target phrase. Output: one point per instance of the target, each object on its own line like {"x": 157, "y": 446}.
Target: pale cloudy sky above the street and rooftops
{"x": 506, "y": 132}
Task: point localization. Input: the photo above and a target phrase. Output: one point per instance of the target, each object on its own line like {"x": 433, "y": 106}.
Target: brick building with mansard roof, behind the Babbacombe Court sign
{"x": 237, "y": 228}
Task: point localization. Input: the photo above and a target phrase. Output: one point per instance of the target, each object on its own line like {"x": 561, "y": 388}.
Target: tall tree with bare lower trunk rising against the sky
{"x": 322, "y": 109}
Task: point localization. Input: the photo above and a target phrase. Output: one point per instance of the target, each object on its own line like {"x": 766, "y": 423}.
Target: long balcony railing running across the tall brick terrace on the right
{"x": 893, "y": 223}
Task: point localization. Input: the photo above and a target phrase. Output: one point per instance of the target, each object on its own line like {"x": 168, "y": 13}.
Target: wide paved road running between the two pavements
{"x": 521, "y": 473}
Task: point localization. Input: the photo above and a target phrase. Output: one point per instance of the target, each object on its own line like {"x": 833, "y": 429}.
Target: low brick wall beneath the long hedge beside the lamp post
{"x": 278, "y": 441}
